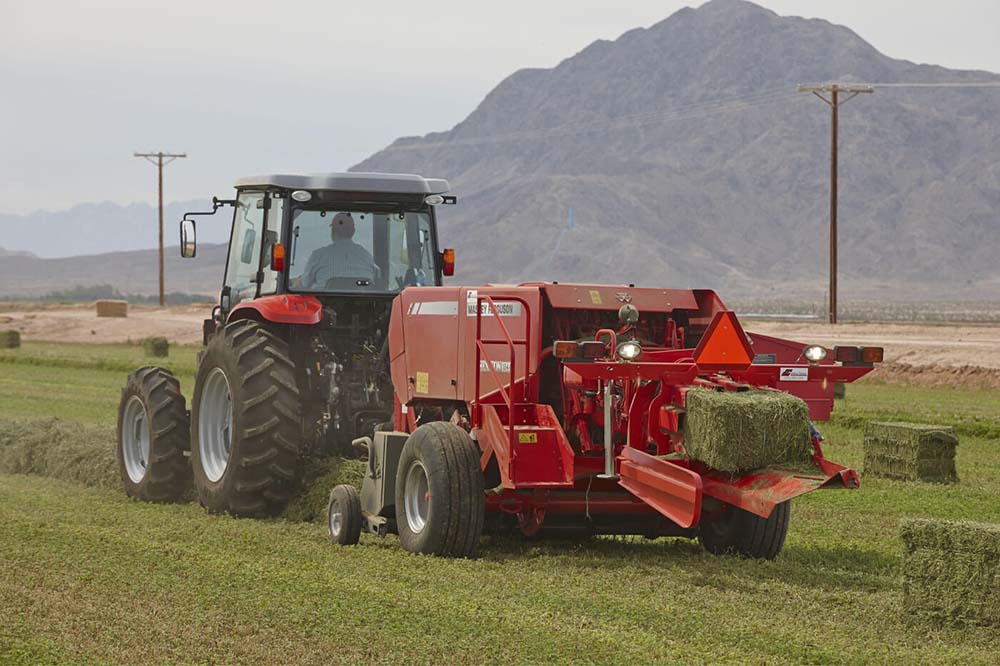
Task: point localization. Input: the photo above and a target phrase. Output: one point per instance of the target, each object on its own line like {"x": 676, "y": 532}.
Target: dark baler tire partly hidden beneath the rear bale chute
{"x": 740, "y": 532}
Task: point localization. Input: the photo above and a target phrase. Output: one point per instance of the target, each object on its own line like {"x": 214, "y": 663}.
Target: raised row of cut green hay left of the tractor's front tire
{"x": 59, "y": 449}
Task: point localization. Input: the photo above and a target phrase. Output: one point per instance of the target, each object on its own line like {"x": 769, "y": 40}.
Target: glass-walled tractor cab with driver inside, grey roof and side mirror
{"x": 329, "y": 235}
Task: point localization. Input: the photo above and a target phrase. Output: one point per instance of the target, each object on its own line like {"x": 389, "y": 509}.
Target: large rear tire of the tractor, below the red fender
{"x": 255, "y": 470}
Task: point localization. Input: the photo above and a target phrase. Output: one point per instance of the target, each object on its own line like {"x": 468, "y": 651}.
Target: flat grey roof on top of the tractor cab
{"x": 389, "y": 183}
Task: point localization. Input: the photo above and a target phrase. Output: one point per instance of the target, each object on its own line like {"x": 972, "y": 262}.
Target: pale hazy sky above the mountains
{"x": 247, "y": 87}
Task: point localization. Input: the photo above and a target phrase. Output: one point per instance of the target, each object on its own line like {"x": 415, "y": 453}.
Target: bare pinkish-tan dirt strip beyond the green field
{"x": 926, "y": 354}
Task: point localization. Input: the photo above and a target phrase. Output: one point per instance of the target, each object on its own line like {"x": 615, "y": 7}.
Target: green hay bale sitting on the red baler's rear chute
{"x": 738, "y": 431}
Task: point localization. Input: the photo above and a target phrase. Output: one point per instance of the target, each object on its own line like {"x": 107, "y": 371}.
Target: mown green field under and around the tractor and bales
{"x": 87, "y": 576}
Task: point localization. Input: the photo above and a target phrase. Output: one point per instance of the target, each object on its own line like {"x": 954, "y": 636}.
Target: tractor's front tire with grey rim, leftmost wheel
{"x": 152, "y": 413}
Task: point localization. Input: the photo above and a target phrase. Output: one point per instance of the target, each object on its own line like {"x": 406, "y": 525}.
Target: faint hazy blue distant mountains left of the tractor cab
{"x": 94, "y": 228}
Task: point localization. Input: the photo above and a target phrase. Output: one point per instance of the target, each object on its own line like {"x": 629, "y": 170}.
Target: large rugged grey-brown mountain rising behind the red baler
{"x": 682, "y": 155}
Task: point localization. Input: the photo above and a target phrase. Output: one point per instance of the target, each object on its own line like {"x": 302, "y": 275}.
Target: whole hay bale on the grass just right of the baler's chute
{"x": 910, "y": 452}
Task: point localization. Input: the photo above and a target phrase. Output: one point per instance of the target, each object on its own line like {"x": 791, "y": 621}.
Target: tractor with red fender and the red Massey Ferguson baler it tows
{"x": 536, "y": 408}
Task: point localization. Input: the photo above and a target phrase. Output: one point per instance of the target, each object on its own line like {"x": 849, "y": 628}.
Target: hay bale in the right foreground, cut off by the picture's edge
{"x": 951, "y": 572}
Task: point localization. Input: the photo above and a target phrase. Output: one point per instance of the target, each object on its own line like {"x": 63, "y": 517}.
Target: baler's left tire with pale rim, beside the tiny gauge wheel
{"x": 454, "y": 502}
